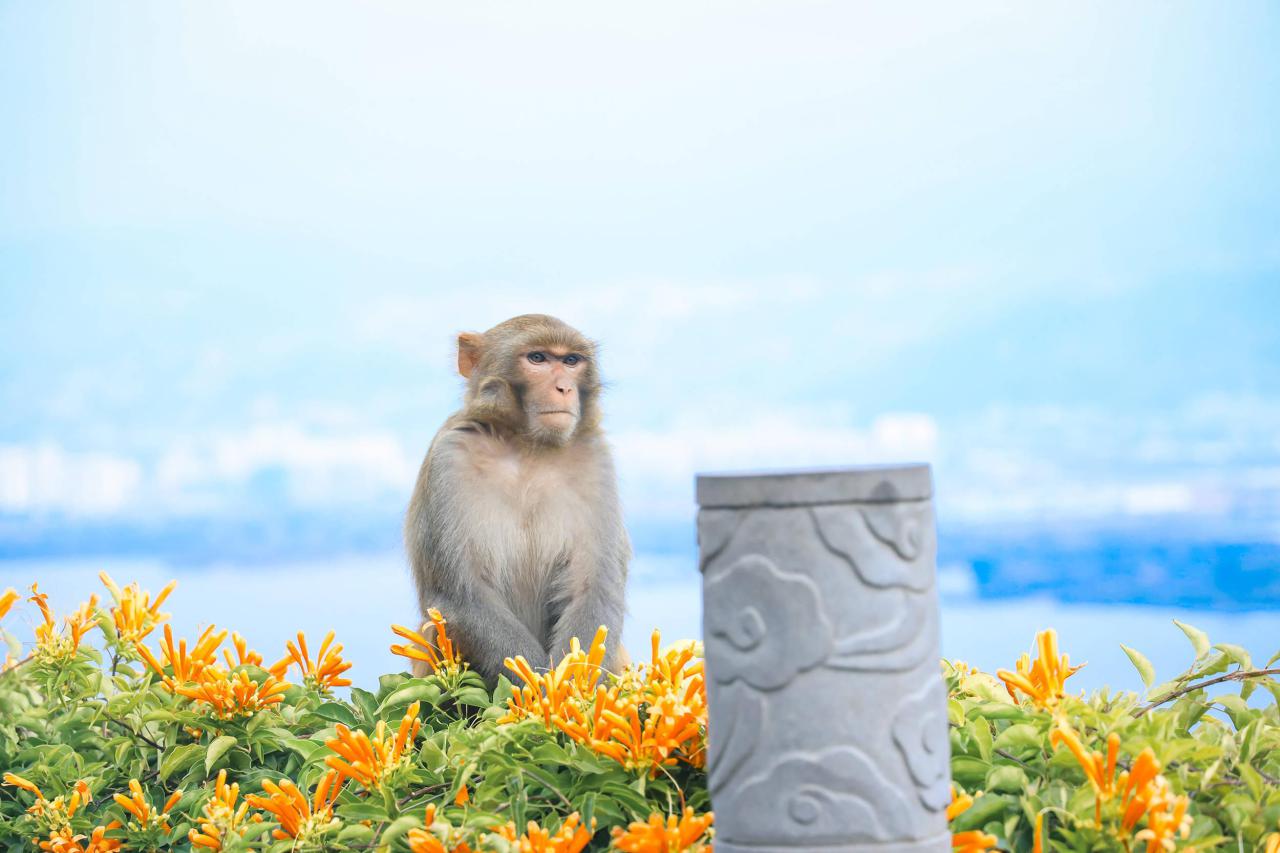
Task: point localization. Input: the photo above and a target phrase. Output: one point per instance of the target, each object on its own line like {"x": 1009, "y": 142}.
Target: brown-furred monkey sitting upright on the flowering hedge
{"x": 515, "y": 528}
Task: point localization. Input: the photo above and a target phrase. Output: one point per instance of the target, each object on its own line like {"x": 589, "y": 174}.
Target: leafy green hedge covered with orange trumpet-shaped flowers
{"x": 108, "y": 743}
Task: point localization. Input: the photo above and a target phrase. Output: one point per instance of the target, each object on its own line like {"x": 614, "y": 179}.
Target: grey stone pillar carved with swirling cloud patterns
{"x": 829, "y": 727}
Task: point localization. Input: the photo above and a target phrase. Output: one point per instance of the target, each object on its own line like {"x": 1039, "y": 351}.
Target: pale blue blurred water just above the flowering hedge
{"x": 360, "y": 597}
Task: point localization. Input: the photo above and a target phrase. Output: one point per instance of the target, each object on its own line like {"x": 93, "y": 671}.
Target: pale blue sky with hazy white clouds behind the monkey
{"x": 1034, "y": 247}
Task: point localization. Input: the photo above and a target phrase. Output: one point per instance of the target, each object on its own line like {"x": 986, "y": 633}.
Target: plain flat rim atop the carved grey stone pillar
{"x": 813, "y": 487}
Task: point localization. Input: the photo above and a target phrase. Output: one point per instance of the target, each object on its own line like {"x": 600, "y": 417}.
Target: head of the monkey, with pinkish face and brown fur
{"x": 534, "y": 377}
